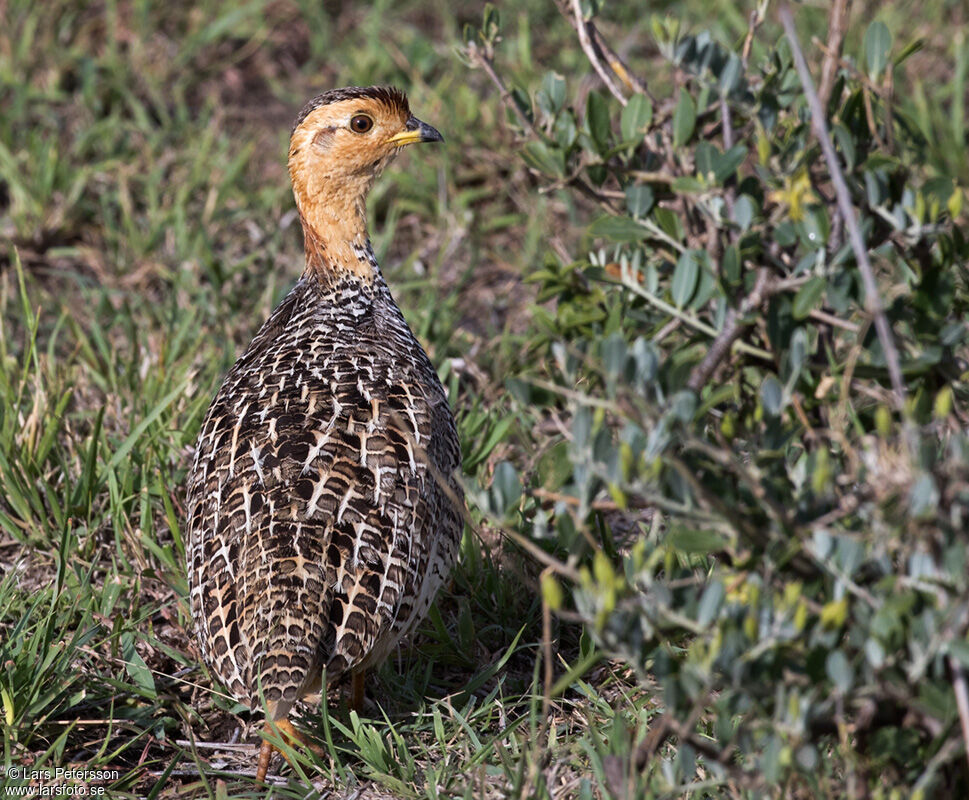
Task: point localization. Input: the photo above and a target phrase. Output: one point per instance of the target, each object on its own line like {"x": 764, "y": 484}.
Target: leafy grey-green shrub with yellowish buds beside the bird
{"x": 747, "y": 508}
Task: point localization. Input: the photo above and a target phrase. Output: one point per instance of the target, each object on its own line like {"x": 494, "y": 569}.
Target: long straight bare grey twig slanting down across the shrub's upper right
{"x": 873, "y": 301}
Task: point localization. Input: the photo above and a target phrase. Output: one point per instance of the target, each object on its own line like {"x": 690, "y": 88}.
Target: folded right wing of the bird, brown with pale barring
{"x": 379, "y": 502}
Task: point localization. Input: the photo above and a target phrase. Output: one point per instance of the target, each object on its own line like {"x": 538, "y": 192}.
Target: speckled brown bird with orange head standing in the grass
{"x": 324, "y": 508}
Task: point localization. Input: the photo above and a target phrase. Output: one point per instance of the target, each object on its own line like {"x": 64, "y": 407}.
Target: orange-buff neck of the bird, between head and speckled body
{"x": 335, "y": 234}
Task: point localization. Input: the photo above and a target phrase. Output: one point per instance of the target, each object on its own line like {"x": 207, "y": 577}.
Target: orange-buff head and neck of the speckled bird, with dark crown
{"x": 341, "y": 141}
